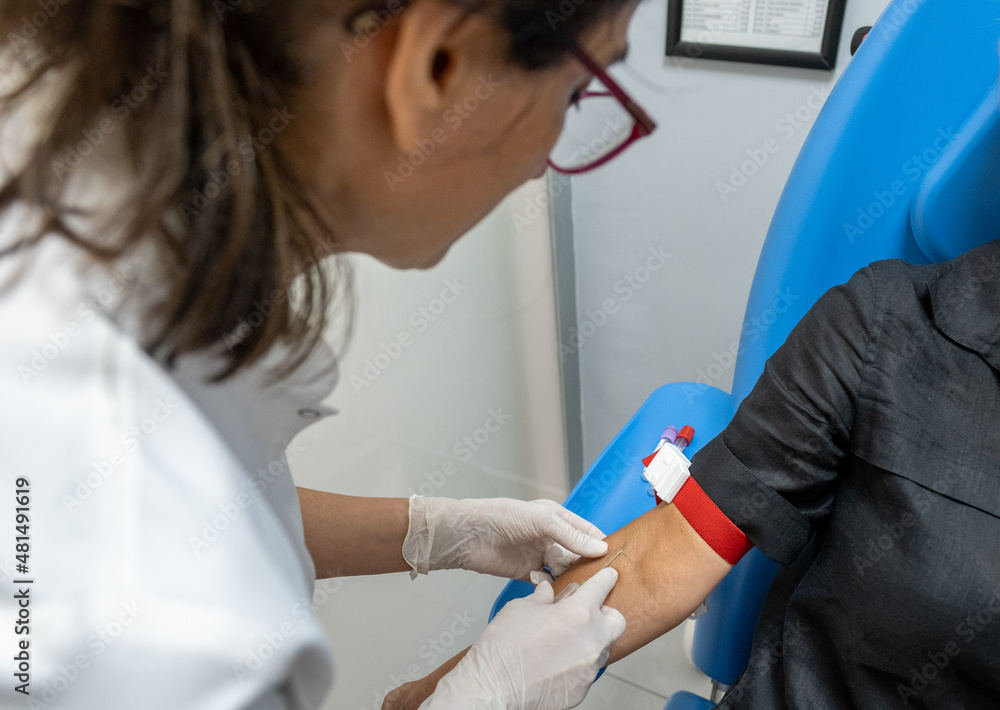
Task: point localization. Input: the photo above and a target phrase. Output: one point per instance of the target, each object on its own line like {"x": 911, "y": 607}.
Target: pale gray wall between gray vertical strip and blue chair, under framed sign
{"x": 663, "y": 194}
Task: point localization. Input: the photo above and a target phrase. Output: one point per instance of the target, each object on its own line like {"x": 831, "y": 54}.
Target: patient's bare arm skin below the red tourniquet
{"x": 664, "y": 572}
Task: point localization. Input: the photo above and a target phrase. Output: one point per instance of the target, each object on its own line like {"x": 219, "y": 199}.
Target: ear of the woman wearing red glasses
{"x": 439, "y": 57}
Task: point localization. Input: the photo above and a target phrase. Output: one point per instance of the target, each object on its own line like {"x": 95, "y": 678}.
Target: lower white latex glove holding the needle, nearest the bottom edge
{"x": 537, "y": 653}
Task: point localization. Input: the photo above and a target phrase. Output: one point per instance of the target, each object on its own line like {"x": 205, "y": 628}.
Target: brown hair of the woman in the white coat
{"x": 196, "y": 86}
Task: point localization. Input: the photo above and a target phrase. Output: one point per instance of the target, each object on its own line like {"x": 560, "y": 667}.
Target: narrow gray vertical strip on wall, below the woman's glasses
{"x": 564, "y": 266}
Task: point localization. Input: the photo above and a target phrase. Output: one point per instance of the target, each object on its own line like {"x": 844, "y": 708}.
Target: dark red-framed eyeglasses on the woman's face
{"x": 600, "y": 126}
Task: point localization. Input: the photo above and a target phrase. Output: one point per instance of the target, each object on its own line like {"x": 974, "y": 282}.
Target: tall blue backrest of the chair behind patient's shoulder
{"x": 908, "y": 127}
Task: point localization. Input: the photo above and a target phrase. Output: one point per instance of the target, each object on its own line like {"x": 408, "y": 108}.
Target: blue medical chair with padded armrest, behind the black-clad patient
{"x": 903, "y": 162}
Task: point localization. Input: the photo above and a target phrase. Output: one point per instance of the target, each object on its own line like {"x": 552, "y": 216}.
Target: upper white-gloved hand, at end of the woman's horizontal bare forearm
{"x": 498, "y": 536}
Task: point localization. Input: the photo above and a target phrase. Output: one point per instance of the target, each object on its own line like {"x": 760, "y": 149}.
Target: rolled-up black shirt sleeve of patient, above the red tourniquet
{"x": 773, "y": 470}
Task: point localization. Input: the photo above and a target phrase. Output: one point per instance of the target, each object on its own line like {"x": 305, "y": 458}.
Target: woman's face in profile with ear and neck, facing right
{"x": 410, "y": 137}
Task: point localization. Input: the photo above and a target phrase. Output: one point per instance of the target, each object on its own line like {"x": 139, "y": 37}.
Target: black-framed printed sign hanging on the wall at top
{"x": 796, "y": 33}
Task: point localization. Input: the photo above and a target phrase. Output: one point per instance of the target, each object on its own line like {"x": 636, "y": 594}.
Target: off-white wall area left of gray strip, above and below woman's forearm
{"x": 489, "y": 353}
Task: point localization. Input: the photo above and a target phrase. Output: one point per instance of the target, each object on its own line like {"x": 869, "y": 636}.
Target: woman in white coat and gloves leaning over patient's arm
{"x": 180, "y": 182}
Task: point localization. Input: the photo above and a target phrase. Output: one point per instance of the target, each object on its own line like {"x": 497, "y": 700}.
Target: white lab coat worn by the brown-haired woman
{"x": 167, "y": 558}
